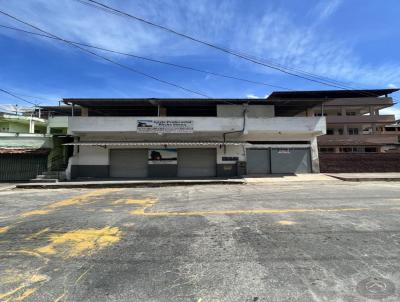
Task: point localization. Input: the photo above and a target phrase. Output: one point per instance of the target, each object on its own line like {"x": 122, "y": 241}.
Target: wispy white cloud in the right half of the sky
{"x": 283, "y": 41}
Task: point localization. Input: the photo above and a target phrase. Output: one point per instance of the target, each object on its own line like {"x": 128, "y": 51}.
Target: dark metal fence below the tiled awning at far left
{"x": 17, "y": 167}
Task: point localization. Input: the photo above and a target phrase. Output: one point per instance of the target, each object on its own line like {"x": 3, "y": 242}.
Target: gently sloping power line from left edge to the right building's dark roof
{"x": 150, "y": 59}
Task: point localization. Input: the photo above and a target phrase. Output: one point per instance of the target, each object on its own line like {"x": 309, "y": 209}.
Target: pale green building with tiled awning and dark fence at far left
{"x": 24, "y": 146}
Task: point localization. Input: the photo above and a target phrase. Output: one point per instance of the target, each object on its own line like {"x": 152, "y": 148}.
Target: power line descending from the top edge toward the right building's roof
{"x": 246, "y": 57}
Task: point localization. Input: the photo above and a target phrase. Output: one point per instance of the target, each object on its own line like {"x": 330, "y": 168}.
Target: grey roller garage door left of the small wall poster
{"x": 128, "y": 163}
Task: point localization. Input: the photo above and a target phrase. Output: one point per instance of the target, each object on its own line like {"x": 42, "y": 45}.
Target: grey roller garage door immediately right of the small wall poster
{"x": 196, "y": 162}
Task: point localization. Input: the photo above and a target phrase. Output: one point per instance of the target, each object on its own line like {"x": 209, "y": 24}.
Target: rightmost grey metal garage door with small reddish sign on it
{"x": 290, "y": 160}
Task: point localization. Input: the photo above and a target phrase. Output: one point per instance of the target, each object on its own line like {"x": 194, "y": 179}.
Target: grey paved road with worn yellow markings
{"x": 335, "y": 241}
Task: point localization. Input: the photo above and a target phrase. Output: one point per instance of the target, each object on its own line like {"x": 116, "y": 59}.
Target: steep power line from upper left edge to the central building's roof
{"x": 105, "y": 58}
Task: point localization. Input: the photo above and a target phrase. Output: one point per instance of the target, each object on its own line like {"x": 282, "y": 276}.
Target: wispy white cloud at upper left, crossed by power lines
{"x": 75, "y": 21}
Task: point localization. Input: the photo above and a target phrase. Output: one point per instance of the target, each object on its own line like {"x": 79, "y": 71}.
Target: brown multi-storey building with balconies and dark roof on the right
{"x": 357, "y": 133}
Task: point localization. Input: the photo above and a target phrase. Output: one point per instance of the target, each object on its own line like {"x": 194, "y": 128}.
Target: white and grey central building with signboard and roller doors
{"x": 139, "y": 138}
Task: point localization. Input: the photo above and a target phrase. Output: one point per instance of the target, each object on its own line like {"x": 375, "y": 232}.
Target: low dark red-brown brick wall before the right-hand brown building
{"x": 359, "y": 162}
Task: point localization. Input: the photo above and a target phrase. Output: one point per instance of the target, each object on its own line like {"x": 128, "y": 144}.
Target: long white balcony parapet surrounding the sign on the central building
{"x": 276, "y": 125}
